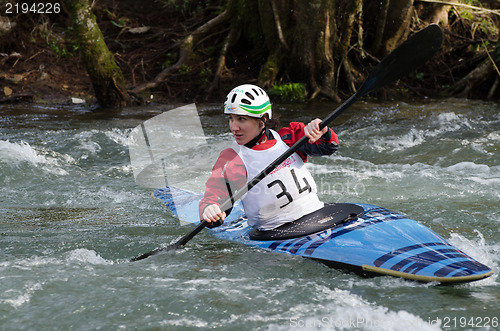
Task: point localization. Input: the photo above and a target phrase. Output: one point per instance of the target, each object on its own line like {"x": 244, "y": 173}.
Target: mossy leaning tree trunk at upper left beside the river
{"x": 107, "y": 78}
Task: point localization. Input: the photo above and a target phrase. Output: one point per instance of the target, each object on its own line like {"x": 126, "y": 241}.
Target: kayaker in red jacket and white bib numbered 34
{"x": 286, "y": 194}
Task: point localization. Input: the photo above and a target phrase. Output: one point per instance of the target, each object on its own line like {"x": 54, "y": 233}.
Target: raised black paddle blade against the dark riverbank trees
{"x": 411, "y": 54}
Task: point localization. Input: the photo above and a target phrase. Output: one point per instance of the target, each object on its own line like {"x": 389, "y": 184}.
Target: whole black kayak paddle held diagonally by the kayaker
{"x": 407, "y": 57}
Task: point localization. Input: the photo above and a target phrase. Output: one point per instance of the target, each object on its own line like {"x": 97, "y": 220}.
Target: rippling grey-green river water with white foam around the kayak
{"x": 71, "y": 216}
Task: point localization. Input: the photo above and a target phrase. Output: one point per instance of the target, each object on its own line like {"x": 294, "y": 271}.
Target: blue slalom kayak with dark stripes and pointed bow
{"x": 380, "y": 242}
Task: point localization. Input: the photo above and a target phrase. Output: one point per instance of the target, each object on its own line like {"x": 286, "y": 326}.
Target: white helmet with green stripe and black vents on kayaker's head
{"x": 249, "y": 100}
